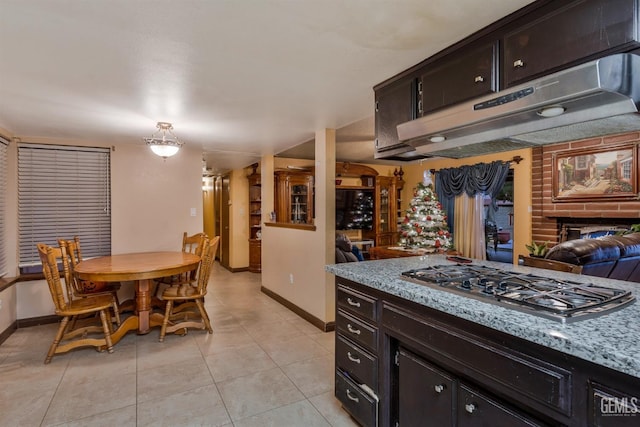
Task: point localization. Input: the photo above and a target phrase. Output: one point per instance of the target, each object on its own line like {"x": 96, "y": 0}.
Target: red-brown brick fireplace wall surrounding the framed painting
{"x": 554, "y": 221}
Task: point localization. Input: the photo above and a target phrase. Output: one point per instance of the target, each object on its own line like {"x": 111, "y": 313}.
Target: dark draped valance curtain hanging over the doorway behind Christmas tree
{"x": 486, "y": 178}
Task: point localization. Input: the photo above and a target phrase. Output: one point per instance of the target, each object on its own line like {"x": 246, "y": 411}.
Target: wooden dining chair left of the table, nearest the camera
{"x": 72, "y": 332}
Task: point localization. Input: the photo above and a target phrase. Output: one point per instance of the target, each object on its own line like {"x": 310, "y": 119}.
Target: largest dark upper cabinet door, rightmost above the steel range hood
{"x": 577, "y": 32}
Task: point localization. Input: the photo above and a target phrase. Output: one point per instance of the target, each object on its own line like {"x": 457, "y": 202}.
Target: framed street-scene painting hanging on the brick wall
{"x": 596, "y": 174}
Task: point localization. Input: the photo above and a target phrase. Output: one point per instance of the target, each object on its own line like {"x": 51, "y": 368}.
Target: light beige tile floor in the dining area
{"x": 262, "y": 366}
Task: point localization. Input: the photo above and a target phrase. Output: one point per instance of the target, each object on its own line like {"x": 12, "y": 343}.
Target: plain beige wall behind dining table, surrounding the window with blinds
{"x": 151, "y": 208}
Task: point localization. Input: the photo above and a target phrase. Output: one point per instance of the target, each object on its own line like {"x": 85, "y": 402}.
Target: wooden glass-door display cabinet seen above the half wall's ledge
{"x": 294, "y": 197}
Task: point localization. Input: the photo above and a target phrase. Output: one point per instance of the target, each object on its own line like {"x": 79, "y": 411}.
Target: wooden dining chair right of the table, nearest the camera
{"x": 186, "y": 302}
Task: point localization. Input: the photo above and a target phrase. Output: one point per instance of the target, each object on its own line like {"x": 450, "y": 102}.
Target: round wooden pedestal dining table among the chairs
{"x": 141, "y": 268}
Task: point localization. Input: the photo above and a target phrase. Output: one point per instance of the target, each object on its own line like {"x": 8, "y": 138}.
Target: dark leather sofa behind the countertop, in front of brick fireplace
{"x": 615, "y": 257}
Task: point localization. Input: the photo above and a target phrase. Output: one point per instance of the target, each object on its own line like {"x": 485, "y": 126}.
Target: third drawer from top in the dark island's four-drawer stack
{"x": 356, "y": 362}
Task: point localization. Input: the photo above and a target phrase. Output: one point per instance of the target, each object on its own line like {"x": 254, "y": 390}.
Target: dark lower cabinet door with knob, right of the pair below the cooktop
{"x": 475, "y": 409}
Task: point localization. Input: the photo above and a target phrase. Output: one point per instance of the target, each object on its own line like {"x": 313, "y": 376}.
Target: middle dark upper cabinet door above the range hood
{"x": 464, "y": 75}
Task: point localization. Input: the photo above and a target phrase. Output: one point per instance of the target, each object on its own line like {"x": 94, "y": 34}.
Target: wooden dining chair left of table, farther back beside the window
{"x": 85, "y": 288}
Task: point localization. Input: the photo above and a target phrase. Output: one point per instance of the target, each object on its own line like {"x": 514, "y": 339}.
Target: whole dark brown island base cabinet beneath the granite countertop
{"x": 402, "y": 364}
